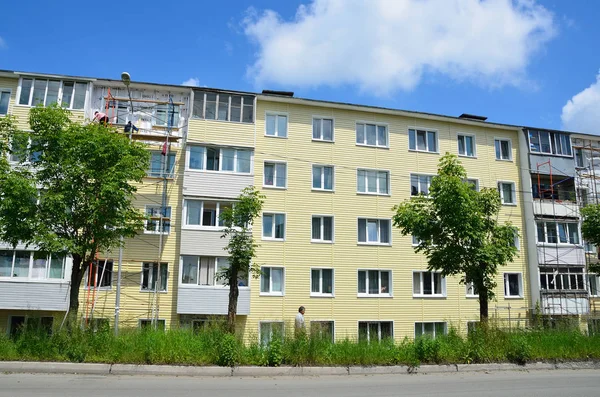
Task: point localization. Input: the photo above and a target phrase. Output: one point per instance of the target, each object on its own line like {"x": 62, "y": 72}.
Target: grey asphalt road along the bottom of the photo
{"x": 536, "y": 383}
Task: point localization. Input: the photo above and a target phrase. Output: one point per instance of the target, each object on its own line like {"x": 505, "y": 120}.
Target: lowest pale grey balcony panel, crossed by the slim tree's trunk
{"x": 210, "y": 300}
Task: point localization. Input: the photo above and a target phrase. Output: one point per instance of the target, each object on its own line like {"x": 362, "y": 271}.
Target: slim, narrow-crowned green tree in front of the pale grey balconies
{"x": 241, "y": 247}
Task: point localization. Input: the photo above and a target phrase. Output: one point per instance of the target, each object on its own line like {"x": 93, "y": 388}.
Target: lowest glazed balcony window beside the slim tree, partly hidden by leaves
{"x": 202, "y": 270}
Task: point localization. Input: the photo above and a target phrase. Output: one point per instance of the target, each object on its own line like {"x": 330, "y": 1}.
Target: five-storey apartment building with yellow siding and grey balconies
{"x": 331, "y": 173}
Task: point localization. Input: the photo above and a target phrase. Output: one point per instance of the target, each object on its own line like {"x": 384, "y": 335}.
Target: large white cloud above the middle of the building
{"x": 386, "y": 45}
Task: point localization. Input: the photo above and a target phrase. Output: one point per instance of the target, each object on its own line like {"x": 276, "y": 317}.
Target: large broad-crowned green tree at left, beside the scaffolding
{"x": 72, "y": 189}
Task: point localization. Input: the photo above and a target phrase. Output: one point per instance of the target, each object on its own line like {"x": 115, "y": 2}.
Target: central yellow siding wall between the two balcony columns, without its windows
{"x": 298, "y": 201}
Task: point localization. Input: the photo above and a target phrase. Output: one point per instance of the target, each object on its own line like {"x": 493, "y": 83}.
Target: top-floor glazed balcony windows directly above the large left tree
{"x": 69, "y": 94}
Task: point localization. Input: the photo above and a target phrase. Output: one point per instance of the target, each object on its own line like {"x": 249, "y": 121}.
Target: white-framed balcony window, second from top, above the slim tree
{"x": 219, "y": 159}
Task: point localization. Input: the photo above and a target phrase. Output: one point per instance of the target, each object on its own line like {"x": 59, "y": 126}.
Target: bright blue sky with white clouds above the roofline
{"x": 517, "y": 62}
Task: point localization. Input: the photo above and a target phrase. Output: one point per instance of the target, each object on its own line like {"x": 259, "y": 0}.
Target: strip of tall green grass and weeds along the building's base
{"x": 215, "y": 347}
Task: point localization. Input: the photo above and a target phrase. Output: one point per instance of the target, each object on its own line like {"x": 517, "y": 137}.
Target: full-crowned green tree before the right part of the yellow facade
{"x": 458, "y": 230}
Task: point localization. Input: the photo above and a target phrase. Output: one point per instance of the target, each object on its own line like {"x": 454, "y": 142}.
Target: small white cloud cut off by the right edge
{"x": 582, "y": 112}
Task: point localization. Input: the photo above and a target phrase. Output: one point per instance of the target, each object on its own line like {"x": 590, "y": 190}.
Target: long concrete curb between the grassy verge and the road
{"x": 250, "y": 371}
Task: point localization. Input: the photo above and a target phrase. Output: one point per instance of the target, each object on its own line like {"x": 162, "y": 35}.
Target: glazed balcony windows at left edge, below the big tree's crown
{"x": 31, "y": 264}
